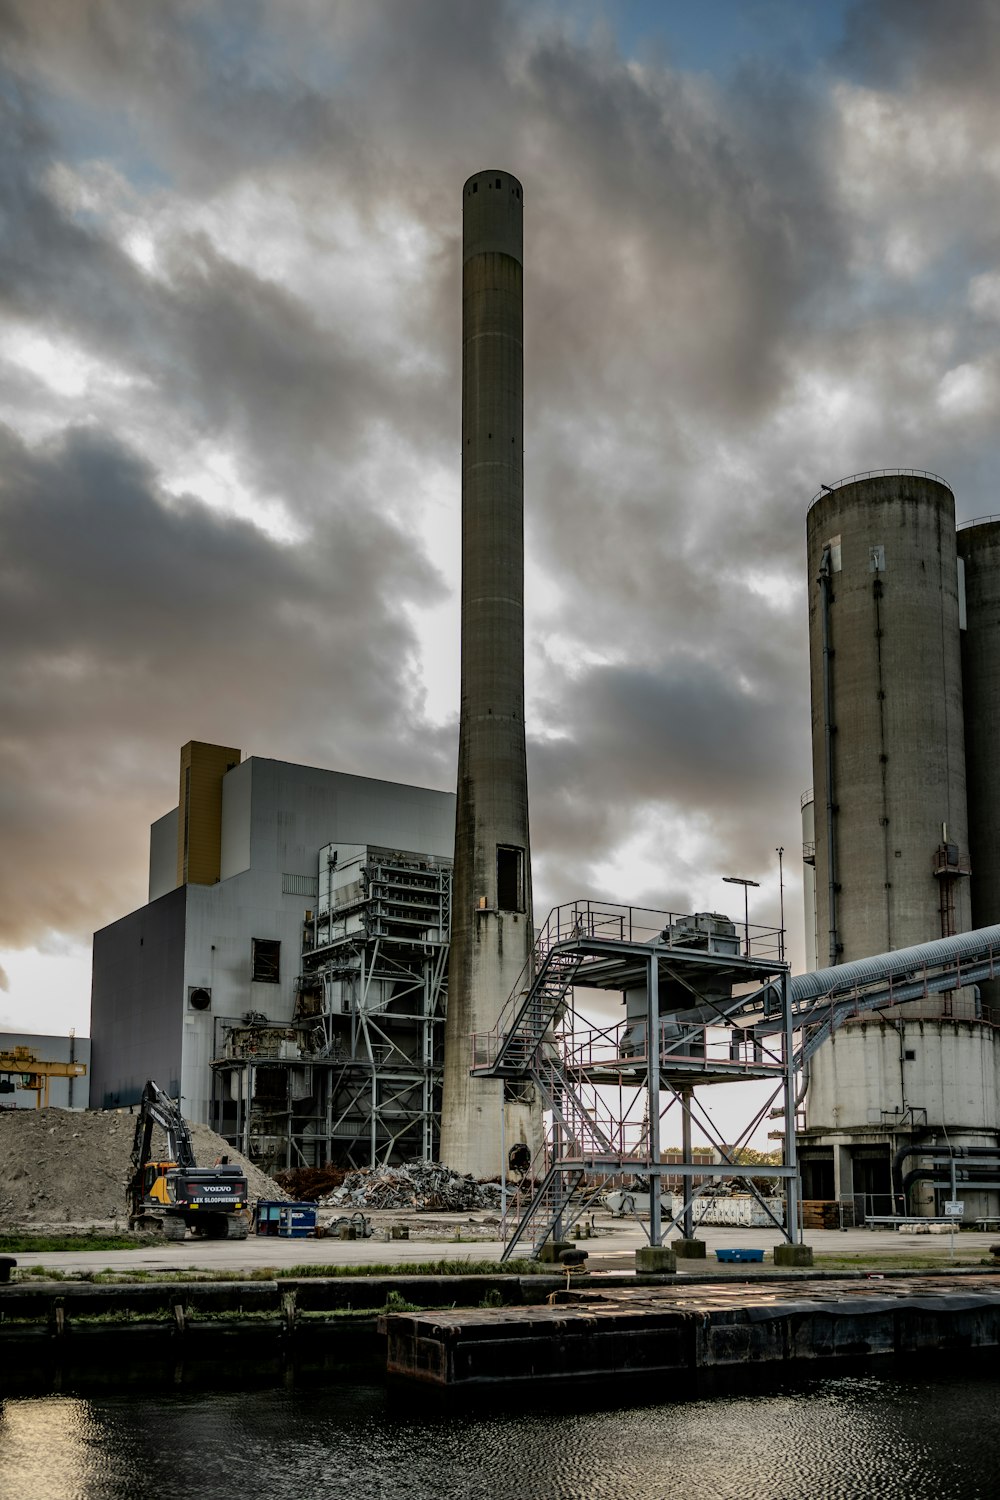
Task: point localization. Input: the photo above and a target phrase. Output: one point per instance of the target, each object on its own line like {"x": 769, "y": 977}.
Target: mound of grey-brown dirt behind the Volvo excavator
{"x": 73, "y": 1166}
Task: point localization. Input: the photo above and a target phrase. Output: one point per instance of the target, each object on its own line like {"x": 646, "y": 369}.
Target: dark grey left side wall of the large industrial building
{"x": 137, "y": 997}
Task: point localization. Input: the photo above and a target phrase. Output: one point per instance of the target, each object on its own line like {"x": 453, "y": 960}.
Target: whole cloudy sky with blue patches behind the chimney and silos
{"x": 762, "y": 250}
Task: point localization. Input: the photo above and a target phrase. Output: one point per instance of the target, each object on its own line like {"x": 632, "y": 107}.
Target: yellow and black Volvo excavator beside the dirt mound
{"x": 176, "y": 1195}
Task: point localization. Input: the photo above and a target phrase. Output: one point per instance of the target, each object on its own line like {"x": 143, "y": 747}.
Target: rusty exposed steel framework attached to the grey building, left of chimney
{"x": 356, "y": 1079}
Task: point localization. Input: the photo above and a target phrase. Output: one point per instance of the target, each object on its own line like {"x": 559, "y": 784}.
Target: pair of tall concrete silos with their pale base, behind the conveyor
{"x": 900, "y": 841}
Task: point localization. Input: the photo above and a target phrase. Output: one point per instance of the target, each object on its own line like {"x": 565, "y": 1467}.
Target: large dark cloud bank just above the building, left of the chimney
{"x": 133, "y": 625}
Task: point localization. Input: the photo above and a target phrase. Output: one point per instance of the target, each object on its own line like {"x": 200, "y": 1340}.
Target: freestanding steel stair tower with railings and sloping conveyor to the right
{"x": 723, "y": 1012}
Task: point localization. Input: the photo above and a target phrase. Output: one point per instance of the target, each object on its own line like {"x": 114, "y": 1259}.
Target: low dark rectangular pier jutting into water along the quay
{"x": 638, "y": 1333}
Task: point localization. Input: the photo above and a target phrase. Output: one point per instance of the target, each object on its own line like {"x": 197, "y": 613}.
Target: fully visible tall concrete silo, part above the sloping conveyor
{"x": 888, "y": 736}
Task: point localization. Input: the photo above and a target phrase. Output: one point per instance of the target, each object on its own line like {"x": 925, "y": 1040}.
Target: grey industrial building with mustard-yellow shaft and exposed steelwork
{"x": 287, "y": 979}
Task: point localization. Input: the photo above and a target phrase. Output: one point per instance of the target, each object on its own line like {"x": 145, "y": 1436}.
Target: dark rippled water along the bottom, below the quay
{"x": 837, "y": 1439}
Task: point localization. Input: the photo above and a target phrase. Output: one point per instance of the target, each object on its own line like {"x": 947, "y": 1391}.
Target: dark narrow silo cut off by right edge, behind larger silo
{"x": 980, "y": 553}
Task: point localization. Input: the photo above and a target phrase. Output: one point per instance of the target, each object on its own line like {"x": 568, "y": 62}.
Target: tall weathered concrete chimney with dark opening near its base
{"x": 493, "y": 926}
